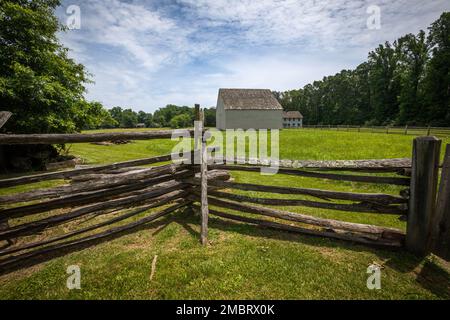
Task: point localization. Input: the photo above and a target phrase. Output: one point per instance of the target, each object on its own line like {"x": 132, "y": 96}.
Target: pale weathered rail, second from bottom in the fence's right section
{"x": 382, "y": 232}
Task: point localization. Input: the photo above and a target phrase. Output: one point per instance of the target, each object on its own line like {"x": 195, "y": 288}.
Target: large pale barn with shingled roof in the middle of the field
{"x": 248, "y": 108}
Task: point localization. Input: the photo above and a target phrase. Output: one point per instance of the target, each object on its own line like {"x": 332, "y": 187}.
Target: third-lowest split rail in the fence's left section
{"x": 39, "y": 225}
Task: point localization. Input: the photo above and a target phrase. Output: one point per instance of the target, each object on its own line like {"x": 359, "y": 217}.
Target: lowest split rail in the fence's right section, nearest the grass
{"x": 320, "y": 233}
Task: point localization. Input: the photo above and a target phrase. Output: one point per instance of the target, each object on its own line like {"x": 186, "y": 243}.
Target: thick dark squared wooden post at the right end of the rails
{"x": 422, "y": 201}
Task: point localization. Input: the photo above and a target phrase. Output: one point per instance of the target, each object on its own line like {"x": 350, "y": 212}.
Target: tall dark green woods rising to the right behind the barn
{"x": 403, "y": 83}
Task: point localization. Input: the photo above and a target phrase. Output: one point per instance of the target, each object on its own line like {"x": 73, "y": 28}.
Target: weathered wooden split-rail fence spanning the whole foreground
{"x": 122, "y": 191}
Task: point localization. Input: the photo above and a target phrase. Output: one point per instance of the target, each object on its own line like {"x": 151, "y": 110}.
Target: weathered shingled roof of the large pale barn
{"x": 249, "y": 99}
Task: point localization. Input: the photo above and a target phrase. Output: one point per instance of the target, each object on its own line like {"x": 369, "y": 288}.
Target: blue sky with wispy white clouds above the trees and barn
{"x": 146, "y": 54}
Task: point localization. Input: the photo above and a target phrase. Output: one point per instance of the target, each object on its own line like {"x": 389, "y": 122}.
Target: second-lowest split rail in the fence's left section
{"x": 157, "y": 202}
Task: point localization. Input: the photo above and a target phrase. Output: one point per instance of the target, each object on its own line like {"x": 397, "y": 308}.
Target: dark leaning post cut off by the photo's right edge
{"x": 441, "y": 223}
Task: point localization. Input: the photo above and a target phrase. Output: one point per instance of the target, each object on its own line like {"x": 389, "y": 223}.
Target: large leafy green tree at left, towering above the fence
{"x": 39, "y": 83}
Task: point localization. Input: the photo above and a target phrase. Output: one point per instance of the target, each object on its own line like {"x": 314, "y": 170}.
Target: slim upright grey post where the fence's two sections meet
{"x": 204, "y": 186}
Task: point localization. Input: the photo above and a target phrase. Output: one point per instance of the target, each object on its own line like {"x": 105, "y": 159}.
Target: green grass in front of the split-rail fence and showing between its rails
{"x": 242, "y": 261}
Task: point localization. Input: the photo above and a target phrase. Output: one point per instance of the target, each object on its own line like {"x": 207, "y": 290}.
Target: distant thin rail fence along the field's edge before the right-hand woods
{"x": 406, "y": 130}
